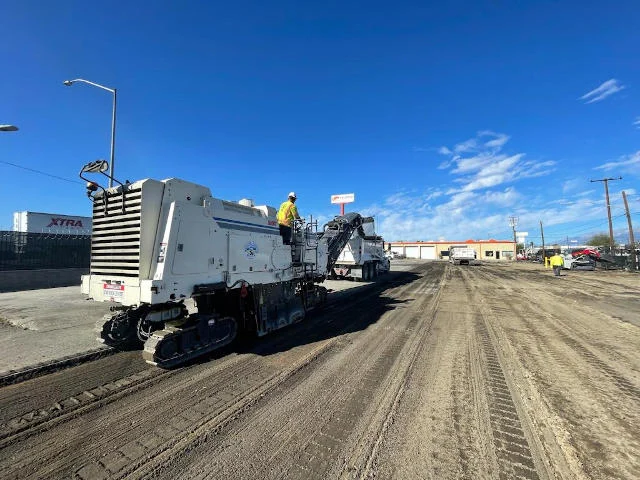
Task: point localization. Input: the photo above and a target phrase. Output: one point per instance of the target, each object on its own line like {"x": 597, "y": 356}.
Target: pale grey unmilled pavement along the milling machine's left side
{"x": 44, "y": 325}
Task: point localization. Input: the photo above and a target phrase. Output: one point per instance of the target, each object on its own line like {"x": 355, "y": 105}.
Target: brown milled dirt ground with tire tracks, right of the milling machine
{"x": 438, "y": 371}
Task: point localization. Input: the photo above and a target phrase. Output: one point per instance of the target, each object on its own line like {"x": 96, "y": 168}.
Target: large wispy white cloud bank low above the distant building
{"x": 481, "y": 194}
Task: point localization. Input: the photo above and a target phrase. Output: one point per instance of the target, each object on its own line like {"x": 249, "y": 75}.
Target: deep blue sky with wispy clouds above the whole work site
{"x": 444, "y": 118}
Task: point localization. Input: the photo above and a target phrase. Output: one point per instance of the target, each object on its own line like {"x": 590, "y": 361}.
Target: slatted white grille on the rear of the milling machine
{"x": 115, "y": 242}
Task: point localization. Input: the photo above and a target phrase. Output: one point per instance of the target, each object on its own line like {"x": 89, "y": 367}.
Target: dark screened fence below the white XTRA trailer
{"x": 32, "y": 251}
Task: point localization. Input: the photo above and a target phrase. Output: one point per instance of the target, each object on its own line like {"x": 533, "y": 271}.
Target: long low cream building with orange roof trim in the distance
{"x": 498, "y": 250}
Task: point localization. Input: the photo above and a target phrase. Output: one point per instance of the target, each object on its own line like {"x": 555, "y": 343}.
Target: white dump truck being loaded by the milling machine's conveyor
{"x": 362, "y": 258}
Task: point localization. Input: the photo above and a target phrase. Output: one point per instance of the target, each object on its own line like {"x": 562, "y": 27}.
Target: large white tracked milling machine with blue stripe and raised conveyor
{"x": 156, "y": 243}
